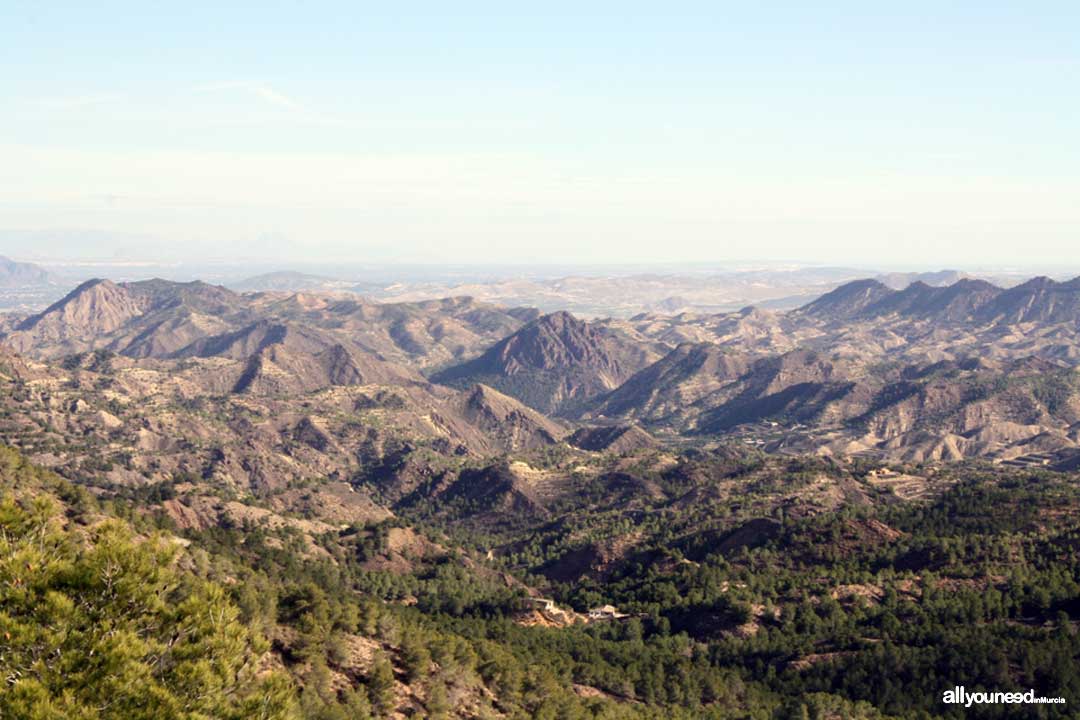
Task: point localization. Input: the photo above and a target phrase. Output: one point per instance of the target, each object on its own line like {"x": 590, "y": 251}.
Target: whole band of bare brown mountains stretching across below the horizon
{"x": 924, "y": 373}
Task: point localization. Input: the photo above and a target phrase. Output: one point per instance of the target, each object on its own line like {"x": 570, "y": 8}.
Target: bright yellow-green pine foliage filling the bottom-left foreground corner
{"x": 97, "y": 622}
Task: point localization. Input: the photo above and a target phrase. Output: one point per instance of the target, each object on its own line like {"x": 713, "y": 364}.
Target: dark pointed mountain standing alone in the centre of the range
{"x": 555, "y": 364}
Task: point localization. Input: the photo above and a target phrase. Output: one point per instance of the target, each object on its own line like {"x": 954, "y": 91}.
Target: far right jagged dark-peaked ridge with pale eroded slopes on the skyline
{"x": 870, "y": 323}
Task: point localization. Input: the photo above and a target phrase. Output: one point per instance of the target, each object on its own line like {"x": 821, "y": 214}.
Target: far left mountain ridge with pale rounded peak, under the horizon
{"x": 160, "y": 320}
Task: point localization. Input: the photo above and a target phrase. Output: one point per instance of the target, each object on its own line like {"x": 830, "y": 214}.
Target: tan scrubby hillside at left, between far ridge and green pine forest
{"x": 127, "y": 423}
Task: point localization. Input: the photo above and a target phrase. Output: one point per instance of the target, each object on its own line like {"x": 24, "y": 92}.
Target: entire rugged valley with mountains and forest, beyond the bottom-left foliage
{"x": 720, "y": 513}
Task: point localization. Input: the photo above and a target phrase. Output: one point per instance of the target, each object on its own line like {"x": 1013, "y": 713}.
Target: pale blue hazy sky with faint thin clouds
{"x": 854, "y": 132}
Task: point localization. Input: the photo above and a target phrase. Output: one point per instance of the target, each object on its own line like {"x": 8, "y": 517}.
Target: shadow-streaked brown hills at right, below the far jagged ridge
{"x": 805, "y": 402}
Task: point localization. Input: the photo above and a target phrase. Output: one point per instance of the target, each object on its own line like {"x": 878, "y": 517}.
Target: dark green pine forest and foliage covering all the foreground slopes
{"x": 109, "y": 618}
